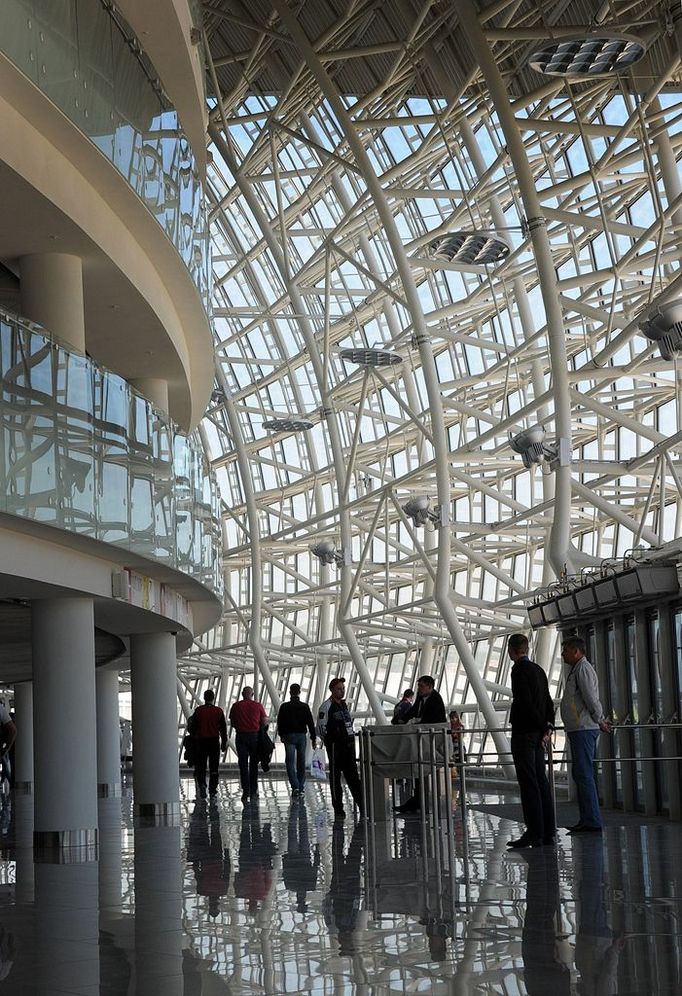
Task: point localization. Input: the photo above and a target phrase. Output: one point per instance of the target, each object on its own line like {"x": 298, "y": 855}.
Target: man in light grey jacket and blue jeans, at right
{"x": 583, "y": 719}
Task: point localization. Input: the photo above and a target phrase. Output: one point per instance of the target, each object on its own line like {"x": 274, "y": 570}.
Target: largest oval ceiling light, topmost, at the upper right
{"x": 587, "y": 55}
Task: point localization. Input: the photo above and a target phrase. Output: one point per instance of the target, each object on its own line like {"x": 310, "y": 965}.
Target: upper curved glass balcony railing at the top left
{"x": 85, "y": 60}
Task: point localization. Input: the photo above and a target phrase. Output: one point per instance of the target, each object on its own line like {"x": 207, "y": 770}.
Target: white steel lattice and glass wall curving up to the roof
{"x": 356, "y": 149}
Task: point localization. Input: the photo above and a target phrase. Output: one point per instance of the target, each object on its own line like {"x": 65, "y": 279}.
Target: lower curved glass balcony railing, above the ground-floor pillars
{"x": 80, "y": 450}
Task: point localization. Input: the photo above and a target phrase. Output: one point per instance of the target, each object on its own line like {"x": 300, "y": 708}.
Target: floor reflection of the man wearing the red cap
{"x": 341, "y": 905}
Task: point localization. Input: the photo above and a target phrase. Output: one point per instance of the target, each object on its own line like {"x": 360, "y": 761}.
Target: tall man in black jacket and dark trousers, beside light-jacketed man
{"x": 532, "y": 721}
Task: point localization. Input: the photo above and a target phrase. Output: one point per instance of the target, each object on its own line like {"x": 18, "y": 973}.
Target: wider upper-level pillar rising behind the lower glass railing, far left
{"x": 52, "y": 295}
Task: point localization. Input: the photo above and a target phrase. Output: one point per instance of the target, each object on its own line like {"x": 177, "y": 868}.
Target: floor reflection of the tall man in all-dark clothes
{"x": 543, "y": 944}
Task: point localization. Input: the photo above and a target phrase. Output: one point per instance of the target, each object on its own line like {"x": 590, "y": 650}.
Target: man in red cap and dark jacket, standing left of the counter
{"x": 335, "y": 727}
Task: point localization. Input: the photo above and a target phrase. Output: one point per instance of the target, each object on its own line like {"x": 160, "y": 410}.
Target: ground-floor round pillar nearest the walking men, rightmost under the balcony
{"x": 156, "y": 773}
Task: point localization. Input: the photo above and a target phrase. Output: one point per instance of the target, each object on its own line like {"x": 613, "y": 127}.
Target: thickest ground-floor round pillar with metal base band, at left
{"x": 64, "y": 736}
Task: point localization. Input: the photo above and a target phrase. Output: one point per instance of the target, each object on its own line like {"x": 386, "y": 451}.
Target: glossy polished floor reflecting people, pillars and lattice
{"x": 273, "y": 897}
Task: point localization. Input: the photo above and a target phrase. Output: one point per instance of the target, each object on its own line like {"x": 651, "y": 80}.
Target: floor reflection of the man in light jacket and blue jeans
{"x": 597, "y": 949}
